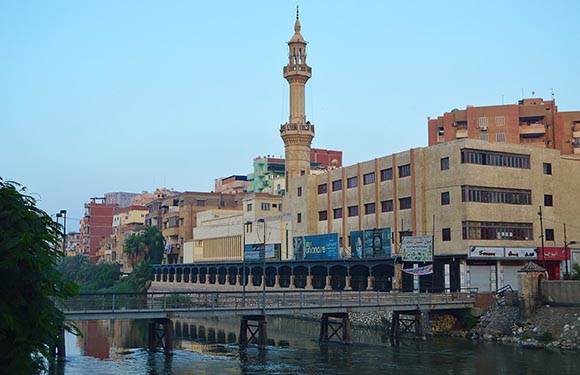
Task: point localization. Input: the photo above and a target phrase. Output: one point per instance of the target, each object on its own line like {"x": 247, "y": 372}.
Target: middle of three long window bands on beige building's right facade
{"x": 495, "y": 195}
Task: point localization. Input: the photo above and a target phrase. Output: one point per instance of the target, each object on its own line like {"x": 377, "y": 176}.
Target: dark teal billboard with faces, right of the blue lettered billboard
{"x": 372, "y": 243}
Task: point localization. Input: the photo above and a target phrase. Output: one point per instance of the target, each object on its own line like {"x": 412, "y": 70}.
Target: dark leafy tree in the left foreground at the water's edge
{"x": 30, "y": 285}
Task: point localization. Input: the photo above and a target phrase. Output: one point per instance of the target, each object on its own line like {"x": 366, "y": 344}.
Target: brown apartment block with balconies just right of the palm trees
{"x": 176, "y": 216}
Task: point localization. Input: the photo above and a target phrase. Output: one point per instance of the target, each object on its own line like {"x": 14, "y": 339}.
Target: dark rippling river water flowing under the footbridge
{"x": 209, "y": 347}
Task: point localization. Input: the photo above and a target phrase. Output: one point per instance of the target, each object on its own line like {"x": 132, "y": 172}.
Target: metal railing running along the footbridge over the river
{"x": 205, "y": 300}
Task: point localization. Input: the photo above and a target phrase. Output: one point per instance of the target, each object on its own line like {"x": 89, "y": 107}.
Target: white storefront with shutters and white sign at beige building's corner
{"x": 491, "y": 268}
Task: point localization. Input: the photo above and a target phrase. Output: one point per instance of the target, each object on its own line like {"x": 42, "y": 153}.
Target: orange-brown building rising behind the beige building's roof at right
{"x": 533, "y": 121}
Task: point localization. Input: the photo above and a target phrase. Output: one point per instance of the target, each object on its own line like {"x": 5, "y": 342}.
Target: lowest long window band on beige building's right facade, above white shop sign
{"x": 480, "y": 230}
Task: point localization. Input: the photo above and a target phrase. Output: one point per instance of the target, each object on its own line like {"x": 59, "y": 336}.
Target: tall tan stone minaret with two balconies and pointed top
{"x": 297, "y": 133}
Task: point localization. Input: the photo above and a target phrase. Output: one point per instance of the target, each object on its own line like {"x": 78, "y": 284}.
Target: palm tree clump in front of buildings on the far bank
{"x": 147, "y": 244}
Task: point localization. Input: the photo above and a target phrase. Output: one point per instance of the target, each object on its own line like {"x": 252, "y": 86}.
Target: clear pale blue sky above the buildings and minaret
{"x": 102, "y": 96}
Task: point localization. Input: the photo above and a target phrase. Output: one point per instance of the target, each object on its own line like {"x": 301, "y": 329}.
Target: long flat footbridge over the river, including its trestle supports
{"x": 254, "y": 306}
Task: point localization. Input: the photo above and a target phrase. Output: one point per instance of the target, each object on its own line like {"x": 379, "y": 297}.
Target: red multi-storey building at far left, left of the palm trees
{"x": 96, "y": 225}
